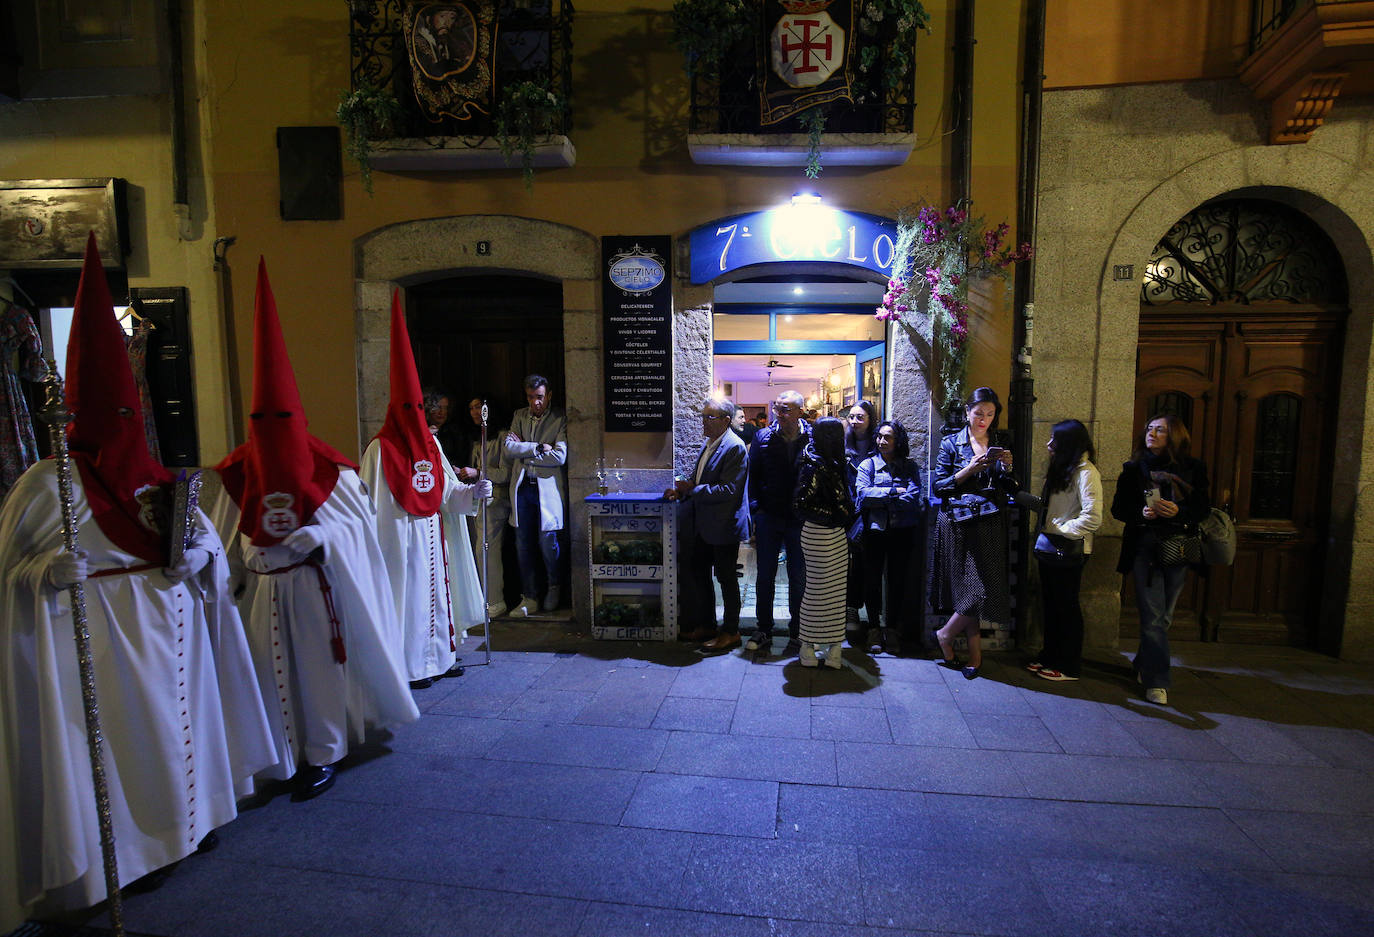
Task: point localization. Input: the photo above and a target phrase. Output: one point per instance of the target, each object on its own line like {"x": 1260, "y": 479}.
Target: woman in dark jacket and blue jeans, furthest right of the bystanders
{"x": 1162, "y": 497}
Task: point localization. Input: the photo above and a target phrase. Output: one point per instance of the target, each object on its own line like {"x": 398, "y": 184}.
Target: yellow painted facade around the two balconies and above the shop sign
{"x": 260, "y": 65}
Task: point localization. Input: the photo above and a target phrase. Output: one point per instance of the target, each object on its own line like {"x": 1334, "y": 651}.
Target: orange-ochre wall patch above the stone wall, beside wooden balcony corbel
{"x": 1092, "y": 43}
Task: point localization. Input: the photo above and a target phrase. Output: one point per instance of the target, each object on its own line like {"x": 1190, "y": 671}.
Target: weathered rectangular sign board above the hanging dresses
{"x": 45, "y": 222}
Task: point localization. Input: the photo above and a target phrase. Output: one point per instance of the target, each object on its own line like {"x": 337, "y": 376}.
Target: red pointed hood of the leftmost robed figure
{"x": 123, "y": 483}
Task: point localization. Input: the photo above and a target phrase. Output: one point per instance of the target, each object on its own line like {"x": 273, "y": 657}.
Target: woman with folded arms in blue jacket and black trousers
{"x": 888, "y": 498}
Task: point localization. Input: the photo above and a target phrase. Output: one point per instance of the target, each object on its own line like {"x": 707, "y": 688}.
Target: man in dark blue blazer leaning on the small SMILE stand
{"x": 714, "y": 520}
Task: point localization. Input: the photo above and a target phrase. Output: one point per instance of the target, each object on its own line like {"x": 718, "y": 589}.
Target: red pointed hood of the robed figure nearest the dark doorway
{"x": 410, "y": 453}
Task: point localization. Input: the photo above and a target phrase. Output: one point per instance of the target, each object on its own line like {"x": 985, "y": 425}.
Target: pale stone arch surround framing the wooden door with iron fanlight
{"x": 1333, "y": 201}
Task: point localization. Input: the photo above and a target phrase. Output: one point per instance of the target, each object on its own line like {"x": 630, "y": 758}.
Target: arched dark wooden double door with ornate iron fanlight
{"x": 1243, "y": 319}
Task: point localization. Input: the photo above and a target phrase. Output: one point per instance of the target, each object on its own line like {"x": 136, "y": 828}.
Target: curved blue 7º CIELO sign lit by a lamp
{"x": 795, "y": 233}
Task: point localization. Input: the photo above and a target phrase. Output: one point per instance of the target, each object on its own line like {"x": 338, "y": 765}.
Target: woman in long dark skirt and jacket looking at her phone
{"x": 969, "y": 576}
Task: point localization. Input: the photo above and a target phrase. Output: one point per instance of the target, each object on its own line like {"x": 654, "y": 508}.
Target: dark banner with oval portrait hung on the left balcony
{"x": 453, "y": 50}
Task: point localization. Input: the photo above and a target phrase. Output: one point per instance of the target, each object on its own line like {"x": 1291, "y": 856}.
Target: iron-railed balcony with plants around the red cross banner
{"x": 870, "y": 127}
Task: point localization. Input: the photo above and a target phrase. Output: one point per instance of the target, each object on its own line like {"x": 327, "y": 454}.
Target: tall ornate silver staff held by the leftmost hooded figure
{"x": 57, "y": 416}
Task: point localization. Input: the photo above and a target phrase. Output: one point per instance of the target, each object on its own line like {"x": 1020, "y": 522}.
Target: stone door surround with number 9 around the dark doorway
{"x": 418, "y": 252}
